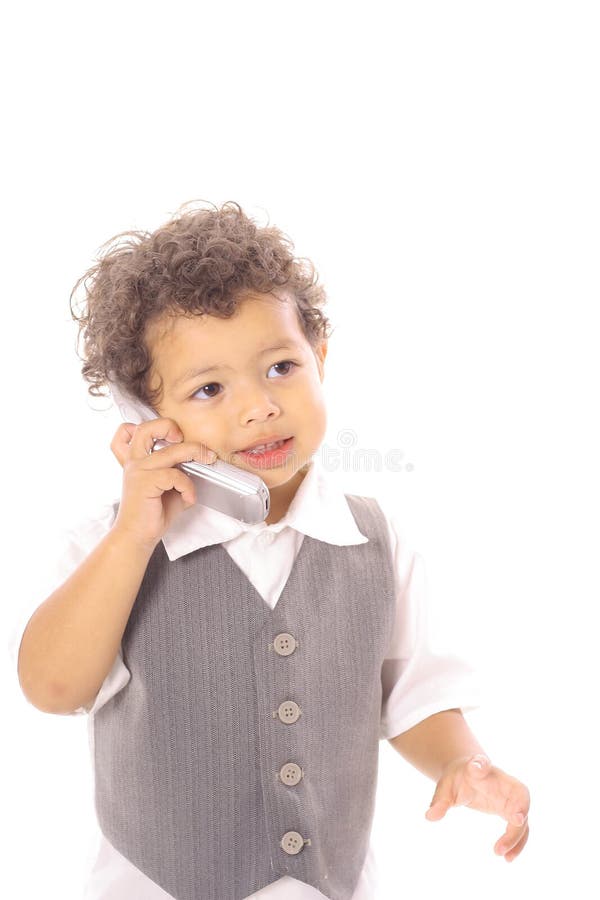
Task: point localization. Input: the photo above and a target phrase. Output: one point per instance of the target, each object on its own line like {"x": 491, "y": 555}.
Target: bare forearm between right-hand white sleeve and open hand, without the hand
{"x": 437, "y": 741}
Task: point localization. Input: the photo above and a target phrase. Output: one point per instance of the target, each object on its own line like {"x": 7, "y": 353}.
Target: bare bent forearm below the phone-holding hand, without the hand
{"x": 72, "y": 639}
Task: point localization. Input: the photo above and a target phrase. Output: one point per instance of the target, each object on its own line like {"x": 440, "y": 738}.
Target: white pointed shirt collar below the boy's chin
{"x": 319, "y": 509}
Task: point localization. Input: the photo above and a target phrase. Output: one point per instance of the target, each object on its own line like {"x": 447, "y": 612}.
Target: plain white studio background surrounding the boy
{"x": 438, "y": 162}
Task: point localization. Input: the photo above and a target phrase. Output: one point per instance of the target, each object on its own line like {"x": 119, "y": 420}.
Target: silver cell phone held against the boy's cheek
{"x": 220, "y": 485}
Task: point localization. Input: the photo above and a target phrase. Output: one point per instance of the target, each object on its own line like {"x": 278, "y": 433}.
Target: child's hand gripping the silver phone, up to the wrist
{"x": 154, "y": 490}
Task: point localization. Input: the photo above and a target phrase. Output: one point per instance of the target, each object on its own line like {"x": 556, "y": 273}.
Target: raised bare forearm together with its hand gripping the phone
{"x": 72, "y": 639}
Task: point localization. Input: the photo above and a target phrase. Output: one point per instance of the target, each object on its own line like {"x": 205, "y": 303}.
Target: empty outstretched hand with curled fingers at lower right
{"x": 474, "y": 782}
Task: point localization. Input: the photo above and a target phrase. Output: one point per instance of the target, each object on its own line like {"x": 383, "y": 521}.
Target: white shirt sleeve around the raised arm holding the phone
{"x": 61, "y": 555}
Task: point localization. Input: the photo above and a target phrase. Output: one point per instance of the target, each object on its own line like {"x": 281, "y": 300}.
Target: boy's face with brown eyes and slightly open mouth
{"x": 250, "y": 393}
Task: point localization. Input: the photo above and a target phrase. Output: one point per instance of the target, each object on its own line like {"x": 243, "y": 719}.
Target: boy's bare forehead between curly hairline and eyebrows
{"x": 174, "y": 339}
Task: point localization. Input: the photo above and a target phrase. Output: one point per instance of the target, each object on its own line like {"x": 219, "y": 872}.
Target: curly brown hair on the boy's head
{"x": 199, "y": 262}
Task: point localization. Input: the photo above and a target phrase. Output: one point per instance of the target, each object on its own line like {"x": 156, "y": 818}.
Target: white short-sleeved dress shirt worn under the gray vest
{"x": 416, "y": 682}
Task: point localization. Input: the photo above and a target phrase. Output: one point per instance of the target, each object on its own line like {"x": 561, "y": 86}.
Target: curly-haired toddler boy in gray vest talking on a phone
{"x": 238, "y": 678}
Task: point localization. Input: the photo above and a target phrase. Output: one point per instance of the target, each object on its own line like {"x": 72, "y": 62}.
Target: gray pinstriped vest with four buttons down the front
{"x": 245, "y": 746}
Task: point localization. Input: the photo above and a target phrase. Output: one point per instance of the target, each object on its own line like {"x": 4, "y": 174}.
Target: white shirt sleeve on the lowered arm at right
{"x": 417, "y": 681}
